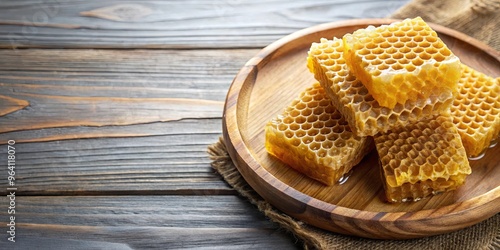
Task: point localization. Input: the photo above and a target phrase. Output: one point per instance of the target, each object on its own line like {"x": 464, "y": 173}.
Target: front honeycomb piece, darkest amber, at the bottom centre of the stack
{"x": 421, "y": 159}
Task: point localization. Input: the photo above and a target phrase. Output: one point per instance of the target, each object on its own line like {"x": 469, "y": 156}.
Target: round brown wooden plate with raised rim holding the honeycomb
{"x": 274, "y": 77}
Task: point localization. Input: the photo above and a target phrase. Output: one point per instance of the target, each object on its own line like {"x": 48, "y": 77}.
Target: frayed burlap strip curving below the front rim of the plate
{"x": 485, "y": 235}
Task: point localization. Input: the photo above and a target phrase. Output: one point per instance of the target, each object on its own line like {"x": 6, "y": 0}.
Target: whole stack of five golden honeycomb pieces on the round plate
{"x": 396, "y": 83}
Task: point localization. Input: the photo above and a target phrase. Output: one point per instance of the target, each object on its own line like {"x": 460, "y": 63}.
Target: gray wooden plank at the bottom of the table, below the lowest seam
{"x": 141, "y": 222}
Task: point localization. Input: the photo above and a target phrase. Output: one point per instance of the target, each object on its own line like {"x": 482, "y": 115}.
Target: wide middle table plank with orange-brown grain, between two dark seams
{"x": 106, "y": 121}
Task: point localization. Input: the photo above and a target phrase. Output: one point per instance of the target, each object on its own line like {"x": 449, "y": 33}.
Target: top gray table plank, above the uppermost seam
{"x": 171, "y": 24}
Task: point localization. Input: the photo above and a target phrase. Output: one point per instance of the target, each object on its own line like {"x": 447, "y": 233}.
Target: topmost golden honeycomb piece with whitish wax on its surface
{"x": 401, "y": 61}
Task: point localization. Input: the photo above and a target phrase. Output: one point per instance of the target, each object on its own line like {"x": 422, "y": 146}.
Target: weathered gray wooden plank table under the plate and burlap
{"x": 109, "y": 108}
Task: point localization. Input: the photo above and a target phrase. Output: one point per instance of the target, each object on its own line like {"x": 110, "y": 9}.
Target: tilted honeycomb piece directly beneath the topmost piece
{"x": 364, "y": 114}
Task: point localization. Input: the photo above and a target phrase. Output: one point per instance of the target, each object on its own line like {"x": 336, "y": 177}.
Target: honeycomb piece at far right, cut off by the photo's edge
{"x": 476, "y": 110}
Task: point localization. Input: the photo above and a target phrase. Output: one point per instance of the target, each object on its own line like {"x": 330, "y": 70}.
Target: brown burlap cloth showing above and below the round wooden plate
{"x": 477, "y": 18}
